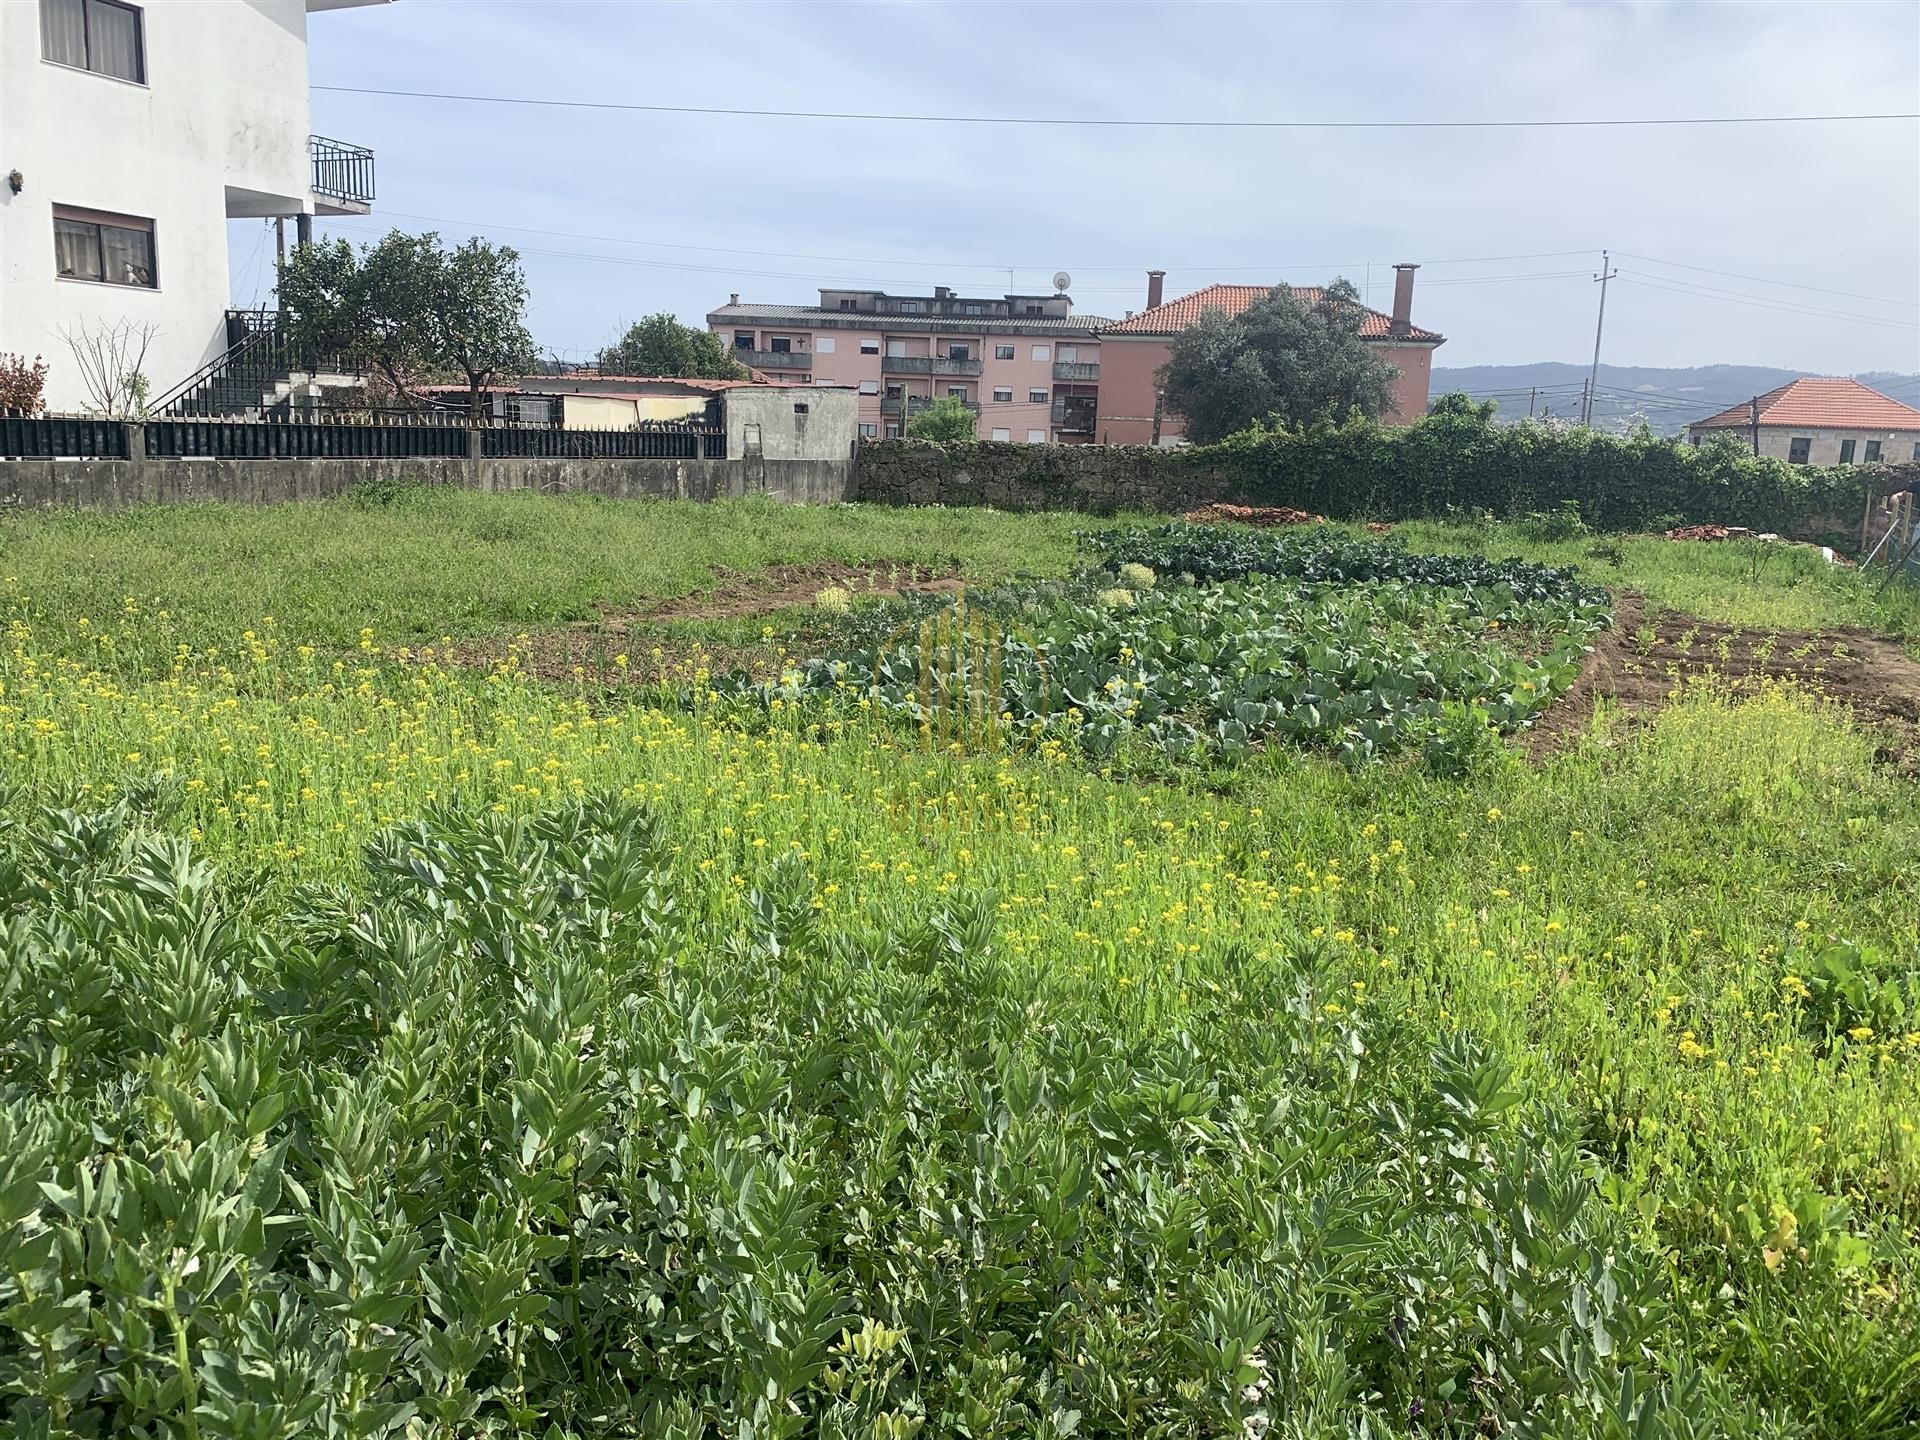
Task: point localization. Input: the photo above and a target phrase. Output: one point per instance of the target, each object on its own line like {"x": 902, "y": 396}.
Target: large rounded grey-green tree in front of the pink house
{"x": 1280, "y": 362}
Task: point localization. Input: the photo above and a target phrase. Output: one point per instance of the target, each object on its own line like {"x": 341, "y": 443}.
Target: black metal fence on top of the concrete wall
{"x": 372, "y": 437}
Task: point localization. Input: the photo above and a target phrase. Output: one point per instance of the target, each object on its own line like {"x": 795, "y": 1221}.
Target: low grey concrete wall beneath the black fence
{"x": 264, "y": 483}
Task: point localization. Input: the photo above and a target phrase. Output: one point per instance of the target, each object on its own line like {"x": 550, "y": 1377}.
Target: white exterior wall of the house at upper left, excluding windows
{"x": 218, "y": 130}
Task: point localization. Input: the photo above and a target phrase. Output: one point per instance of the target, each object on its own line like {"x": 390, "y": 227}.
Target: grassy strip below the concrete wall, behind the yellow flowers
{"x": 468, "y": 564}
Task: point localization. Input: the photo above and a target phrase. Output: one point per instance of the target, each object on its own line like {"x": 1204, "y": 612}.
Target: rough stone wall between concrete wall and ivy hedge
{"x": 1101, "y": 479}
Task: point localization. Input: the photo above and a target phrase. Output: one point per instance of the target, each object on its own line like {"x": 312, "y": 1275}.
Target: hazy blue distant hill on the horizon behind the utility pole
{"x": 1666, "y": 398}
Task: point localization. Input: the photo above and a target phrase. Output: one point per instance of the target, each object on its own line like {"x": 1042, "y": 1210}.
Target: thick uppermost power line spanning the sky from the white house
{"x": 1115, "y": 124}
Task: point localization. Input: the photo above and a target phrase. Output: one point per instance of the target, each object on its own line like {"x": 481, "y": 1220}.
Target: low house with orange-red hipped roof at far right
{"x": 1821, "y": 423}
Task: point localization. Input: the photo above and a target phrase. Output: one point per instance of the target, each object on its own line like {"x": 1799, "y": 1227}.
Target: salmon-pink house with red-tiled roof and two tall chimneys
{"x": 1134, "y": 348}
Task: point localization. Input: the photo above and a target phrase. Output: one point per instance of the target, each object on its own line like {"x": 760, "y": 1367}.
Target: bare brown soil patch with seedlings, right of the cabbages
{"x": 1643, "y": 663}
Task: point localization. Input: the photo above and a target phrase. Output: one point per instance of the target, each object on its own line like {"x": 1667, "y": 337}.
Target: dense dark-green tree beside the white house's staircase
{"x": 414, "y": 310}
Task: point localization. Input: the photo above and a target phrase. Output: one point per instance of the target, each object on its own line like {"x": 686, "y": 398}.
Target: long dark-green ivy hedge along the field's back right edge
{"x": 1460, "y": 460}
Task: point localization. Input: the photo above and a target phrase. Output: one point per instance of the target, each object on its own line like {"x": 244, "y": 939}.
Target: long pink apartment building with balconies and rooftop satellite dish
{"x": 1028, "y": 366}
